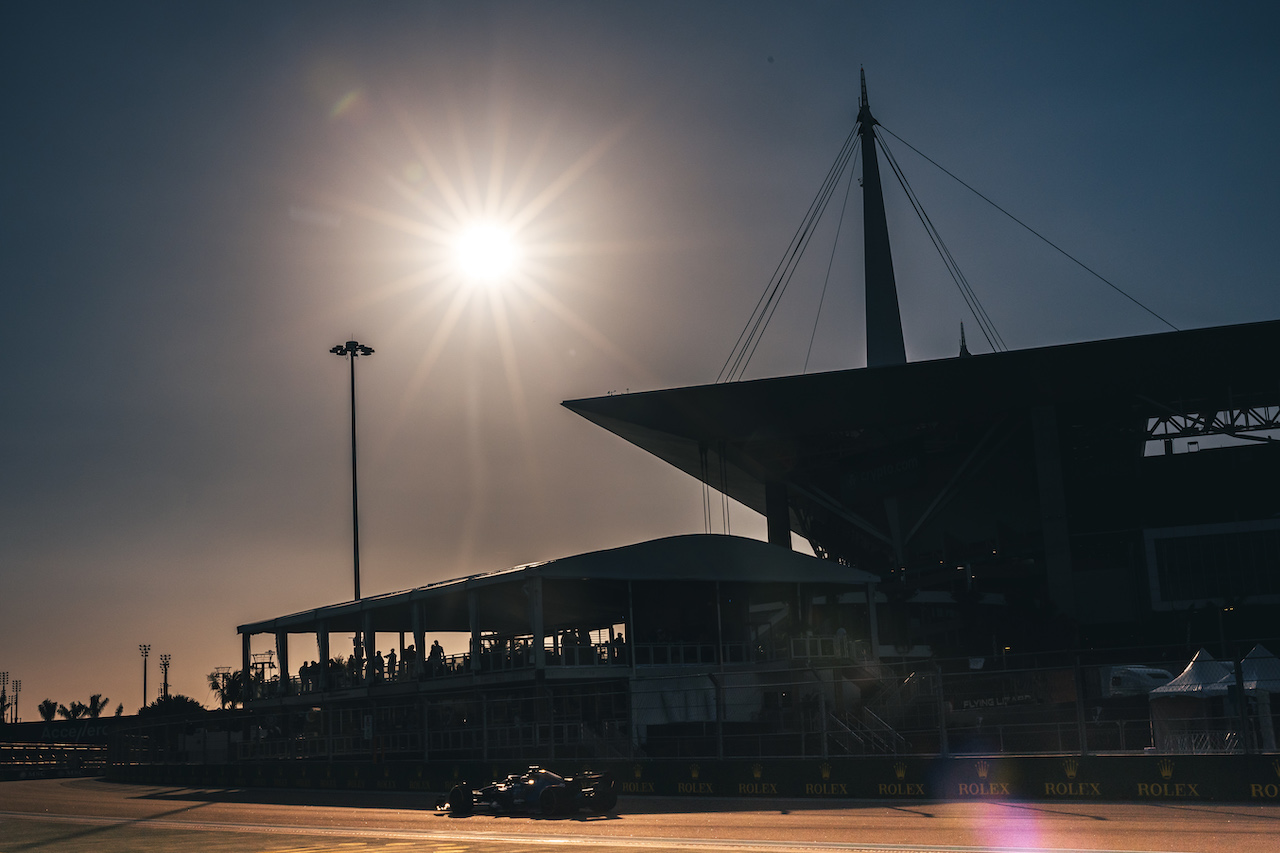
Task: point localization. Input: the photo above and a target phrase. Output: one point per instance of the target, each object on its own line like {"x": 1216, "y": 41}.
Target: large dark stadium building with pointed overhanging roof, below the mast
{"x": 1114, "y": 492}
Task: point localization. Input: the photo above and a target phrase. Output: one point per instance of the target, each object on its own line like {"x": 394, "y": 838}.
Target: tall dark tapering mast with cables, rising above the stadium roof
{"x": 884, "y": 321}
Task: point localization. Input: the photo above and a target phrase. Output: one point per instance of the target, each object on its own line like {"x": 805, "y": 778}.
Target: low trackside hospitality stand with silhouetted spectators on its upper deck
{"x": 706, "y": 644}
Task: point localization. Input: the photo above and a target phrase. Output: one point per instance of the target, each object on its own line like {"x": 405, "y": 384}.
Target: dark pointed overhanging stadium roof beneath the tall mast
{"x": 776, "y": 430}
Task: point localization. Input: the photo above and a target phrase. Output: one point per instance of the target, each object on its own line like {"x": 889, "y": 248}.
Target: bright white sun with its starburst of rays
{"x": 483, "y": 236}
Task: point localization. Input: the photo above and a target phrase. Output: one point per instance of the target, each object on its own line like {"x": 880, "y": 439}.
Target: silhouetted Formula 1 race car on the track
{"x": 537, "y": 792}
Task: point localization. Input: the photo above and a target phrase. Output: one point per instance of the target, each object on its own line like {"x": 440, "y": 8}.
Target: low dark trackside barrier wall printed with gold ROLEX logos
{"x": 1068, "y": 778}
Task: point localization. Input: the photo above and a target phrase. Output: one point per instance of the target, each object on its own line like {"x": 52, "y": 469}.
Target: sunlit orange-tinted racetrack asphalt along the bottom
{"x": 74, "y": 815}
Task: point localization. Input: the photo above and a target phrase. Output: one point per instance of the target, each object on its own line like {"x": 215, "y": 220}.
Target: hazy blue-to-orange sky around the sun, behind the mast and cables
{"x": 200, "y": 200}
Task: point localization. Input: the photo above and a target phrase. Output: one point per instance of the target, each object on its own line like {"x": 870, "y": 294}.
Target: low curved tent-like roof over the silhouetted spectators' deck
{"x": 675, "y": 559}
